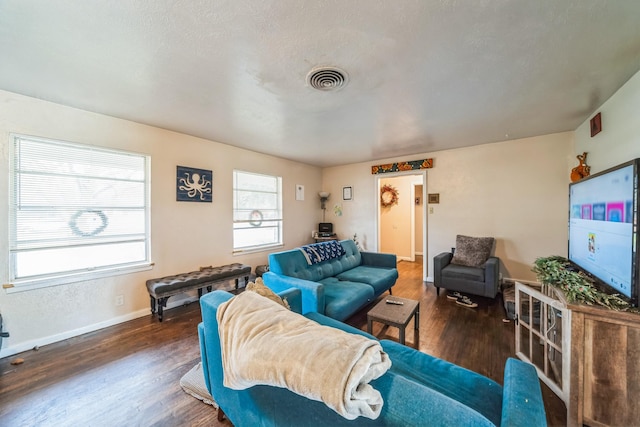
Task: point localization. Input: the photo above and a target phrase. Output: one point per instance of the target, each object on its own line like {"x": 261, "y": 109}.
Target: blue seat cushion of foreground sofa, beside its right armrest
{"x": 467, "y": 387}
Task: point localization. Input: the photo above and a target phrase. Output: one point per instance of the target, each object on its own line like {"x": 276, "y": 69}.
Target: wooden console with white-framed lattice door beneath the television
{"x": 594, "y": 366}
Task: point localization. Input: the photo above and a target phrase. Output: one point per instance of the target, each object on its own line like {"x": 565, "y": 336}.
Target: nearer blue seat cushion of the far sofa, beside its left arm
{"x": 343, "y": 298}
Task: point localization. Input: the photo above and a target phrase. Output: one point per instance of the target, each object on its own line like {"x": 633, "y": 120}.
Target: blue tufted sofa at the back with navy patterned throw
{"x": 337, "y": 287}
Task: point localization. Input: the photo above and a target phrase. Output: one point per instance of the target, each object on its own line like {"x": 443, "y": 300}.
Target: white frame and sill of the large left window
{"x": 82, "y": 274}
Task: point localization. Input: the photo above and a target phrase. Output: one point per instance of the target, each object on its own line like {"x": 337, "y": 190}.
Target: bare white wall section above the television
{"x": 619, "y": 139}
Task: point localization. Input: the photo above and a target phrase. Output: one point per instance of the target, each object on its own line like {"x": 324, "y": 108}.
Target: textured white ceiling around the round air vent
{"x": 424, "y": 75}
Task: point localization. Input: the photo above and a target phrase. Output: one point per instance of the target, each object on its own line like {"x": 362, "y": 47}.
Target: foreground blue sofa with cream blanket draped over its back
{"x": 418, "y": 389}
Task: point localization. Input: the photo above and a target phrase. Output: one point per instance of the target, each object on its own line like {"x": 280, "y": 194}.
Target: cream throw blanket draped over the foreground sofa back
{"x": 264, "y": 343}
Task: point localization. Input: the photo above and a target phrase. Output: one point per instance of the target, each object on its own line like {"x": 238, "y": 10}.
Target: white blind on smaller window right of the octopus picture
{"x": 257, "y": 211}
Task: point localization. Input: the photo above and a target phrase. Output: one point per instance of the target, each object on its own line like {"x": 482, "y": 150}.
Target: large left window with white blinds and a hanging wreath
{"x": 76, "y": 210}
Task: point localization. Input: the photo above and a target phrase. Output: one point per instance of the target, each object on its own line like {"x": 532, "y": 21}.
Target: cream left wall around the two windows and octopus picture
{"x": 185, "y": 236}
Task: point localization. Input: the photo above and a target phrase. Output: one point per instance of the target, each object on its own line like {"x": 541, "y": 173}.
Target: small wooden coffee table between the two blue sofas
{"x": 397, "y": 315}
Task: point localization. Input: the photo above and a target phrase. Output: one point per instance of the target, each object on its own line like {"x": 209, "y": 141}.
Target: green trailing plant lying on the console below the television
{"x": 577, "y": 286}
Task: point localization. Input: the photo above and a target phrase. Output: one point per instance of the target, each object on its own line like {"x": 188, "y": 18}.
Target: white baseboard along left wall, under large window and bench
{"x": 39, "y": 342}
